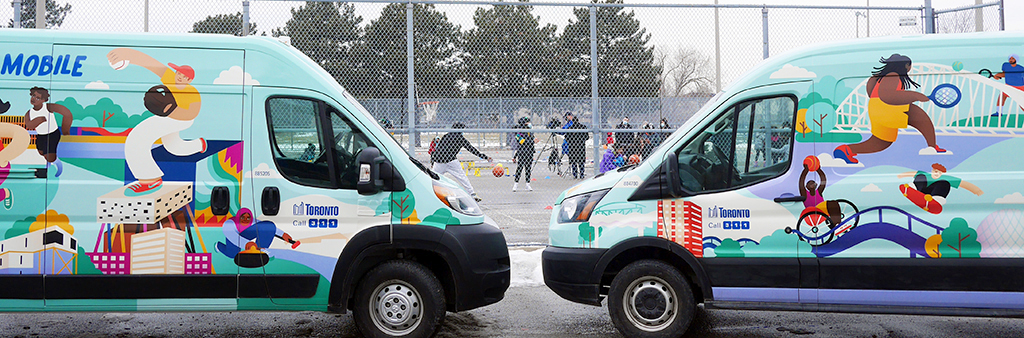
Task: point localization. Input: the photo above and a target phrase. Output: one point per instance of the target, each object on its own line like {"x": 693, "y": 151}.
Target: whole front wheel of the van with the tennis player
{"x": 668, "y": 301}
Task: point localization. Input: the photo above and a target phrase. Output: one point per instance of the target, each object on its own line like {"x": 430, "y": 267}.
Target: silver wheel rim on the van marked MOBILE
{"x": 396, "y": 308}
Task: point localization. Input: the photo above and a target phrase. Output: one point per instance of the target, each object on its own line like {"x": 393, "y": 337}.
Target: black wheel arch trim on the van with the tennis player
{"x": 635, "y": 249}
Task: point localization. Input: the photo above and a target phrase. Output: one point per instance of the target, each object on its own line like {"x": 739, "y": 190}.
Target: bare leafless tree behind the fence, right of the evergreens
{"x": 686, "y": 71}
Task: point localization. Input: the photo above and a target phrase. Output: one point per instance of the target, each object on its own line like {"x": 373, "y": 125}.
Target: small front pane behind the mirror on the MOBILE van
{"x": 349, "y": 142}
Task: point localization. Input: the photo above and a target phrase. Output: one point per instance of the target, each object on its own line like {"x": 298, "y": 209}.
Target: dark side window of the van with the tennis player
{"x": 749, "y": 144}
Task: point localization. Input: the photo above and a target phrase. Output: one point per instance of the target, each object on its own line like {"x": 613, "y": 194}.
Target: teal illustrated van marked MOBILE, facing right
{"x": 201, "y": 173}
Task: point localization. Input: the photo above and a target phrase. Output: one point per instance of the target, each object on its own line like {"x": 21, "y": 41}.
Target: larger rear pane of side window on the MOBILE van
{"x": 298, "y": 141}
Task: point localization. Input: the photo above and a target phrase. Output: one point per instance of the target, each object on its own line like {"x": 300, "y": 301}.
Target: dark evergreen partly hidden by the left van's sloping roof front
{"x": 330, "y": 34}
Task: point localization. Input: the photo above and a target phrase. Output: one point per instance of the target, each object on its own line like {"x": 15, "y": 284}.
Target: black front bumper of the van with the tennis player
{"x": 570, "y": 273}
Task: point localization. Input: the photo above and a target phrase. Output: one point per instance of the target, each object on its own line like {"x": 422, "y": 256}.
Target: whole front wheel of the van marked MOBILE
{"x": 407, "y": 287}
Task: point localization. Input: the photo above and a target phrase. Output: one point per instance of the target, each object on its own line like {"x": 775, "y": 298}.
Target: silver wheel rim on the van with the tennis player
{"x": 651, "y": 304}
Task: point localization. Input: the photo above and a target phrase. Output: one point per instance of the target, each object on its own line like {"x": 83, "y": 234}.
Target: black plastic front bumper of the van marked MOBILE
{"x": 486, "y": 268}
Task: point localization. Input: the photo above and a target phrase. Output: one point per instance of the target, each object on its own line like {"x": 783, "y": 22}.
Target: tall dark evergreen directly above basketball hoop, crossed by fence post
{"x": 436, "y": 43}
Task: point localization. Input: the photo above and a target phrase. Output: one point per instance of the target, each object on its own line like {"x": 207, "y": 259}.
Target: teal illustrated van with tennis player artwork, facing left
{"x": 876, "y": 176}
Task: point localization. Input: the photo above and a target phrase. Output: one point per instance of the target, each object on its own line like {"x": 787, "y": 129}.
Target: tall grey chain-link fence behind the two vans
{"x": 490, "y": 65}
